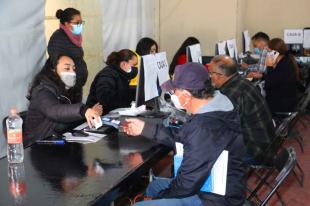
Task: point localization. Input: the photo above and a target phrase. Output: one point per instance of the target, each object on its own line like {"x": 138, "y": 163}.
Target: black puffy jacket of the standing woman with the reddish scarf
{"x": 60, "y": 43}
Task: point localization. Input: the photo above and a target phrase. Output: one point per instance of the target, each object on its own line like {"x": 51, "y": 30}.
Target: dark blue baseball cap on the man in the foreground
{"x": 191, "y": 76}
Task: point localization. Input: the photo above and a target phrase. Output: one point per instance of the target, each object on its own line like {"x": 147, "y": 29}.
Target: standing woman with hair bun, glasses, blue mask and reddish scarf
{"x": 68, "y": 40}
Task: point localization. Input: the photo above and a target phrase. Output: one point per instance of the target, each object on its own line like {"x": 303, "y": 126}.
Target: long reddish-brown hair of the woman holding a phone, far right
{"x": 279, "y": 45}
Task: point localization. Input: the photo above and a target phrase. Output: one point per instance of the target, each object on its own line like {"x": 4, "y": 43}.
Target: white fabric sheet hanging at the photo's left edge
{"x": 22, "y": 49}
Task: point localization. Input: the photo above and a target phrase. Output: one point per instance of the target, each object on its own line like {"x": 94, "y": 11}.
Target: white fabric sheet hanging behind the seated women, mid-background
{"x": 125, "y": 22}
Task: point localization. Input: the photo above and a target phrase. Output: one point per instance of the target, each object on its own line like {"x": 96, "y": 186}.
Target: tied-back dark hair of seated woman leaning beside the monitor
{"x": 115, "y": 58}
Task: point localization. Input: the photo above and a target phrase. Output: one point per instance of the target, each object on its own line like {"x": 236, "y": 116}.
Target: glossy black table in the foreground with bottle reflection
{"x": 71, "y": 174}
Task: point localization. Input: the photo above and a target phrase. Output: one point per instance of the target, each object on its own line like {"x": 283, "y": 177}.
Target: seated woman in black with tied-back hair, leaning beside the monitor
{"x": 111, "y": 85}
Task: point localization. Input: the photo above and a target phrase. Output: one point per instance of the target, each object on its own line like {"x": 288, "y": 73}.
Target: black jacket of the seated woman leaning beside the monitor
{"x": 111, "y": 88}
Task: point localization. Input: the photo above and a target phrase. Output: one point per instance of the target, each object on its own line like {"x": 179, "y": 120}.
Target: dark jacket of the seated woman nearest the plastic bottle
{"x": 50, "y": 111}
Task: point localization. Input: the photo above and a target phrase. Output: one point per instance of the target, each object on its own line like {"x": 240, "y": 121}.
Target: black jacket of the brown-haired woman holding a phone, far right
{"x": 281, "y": 86}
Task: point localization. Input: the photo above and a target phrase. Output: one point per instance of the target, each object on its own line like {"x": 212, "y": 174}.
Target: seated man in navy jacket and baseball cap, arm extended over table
{"x": 214, "y": 126}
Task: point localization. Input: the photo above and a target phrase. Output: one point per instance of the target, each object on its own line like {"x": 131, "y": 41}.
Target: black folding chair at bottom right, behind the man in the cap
{"x": 284, "y": 164}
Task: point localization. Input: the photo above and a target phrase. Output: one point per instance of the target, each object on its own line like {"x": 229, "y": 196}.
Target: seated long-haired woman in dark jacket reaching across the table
{"x": 51, "y": 110}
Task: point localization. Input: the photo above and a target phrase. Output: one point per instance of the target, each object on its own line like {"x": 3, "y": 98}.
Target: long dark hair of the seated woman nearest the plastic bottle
{"x": 48, "y": 72}
